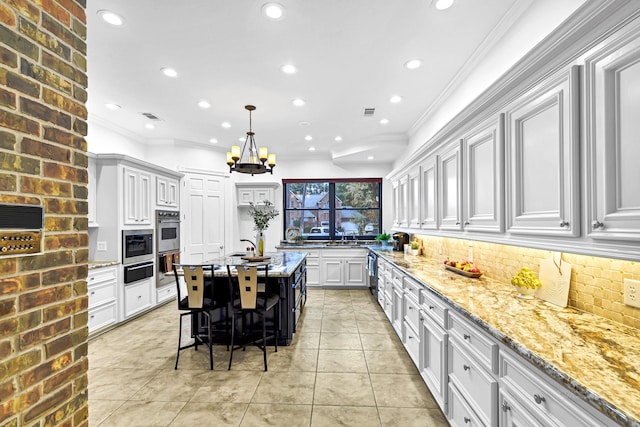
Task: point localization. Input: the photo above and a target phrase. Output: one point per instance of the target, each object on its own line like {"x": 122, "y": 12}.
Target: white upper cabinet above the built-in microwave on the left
{"x": 136, "y": 197}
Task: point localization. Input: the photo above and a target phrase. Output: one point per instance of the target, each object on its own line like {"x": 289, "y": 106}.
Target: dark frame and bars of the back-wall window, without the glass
{"x": 333, "y": 233}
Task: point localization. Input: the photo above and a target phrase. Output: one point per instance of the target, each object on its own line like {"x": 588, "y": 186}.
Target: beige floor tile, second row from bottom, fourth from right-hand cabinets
{"x": 228, "y": 386}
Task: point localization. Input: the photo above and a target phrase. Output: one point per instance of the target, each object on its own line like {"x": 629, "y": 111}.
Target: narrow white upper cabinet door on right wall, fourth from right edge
{"x": 450, "y": 187}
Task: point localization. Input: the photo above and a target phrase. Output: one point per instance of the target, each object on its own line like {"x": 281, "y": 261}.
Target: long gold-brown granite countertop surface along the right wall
{"x": 597, "y": 358}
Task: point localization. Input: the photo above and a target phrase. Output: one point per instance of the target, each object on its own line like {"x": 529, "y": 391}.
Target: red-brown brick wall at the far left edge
{"x": 43, "y": 161}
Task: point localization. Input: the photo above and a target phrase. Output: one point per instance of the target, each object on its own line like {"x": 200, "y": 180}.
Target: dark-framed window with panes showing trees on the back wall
{"x": 326, "y": 209}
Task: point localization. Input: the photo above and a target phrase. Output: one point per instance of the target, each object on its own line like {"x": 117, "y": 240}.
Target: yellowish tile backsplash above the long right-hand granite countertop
{"x": 596, "y": 283}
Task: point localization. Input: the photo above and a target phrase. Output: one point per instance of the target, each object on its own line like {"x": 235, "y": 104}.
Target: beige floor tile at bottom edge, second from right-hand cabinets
{"x": 352, "y": 416}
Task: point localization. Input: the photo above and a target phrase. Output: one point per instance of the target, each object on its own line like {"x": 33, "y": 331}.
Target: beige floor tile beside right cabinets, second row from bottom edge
{"x": 401, "y": 391}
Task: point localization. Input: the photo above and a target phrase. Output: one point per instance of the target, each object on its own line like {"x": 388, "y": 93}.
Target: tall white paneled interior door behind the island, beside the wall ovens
{"x": 202, "y": 225}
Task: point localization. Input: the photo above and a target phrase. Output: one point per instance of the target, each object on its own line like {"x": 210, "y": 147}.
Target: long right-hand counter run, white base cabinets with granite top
{"x": 498, "y": 356}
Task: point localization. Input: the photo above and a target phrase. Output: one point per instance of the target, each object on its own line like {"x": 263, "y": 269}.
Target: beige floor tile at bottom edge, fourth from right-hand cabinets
{"x": 210, "y": 414}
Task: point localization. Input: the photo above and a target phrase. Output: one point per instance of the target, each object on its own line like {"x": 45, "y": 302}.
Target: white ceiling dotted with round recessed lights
{"x": 349, "y": 56}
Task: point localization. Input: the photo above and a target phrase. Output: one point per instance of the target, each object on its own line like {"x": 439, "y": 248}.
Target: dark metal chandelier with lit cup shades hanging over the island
{"x": 256, "y": 161}
